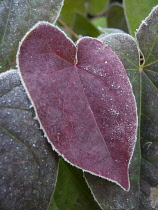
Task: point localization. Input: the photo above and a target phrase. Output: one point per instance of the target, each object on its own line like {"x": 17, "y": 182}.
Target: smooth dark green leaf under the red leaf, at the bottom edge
{"x": 71, "y": 190}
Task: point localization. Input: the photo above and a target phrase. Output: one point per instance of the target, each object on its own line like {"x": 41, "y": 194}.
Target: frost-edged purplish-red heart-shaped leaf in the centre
{"x": 83, "y": 99}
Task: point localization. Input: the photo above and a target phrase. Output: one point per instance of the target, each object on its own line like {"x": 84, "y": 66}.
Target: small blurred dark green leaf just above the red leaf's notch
{"x": 84, "y": 27}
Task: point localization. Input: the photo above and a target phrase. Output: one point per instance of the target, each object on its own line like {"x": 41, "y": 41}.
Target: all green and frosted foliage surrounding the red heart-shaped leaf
{"x": 30, "y": 170}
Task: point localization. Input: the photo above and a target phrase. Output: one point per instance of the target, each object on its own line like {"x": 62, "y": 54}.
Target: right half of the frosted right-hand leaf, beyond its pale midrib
{"x": 147, "y": 37}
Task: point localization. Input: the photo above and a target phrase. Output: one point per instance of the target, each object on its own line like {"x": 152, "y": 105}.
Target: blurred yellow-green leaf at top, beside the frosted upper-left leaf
{"x": 70, "y": 7}
